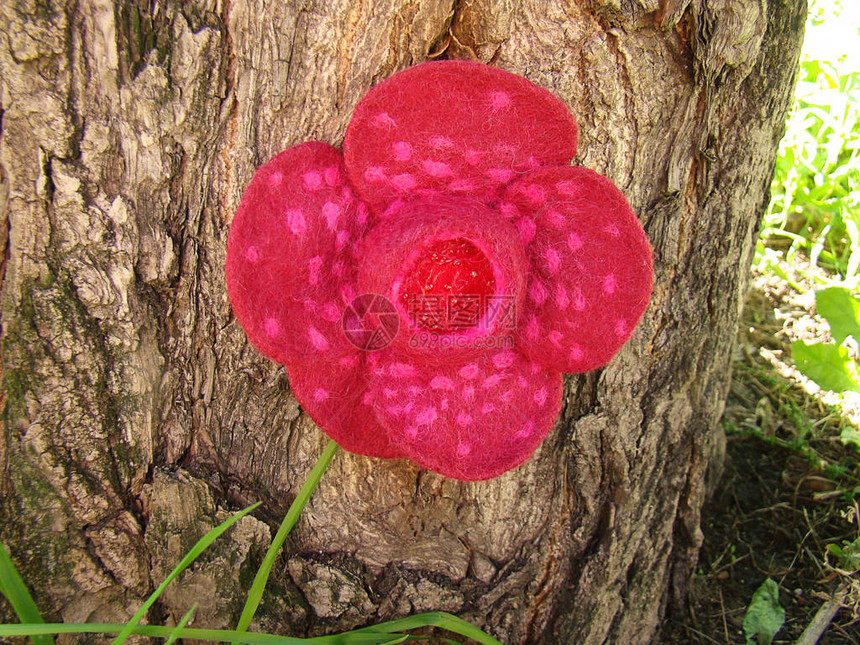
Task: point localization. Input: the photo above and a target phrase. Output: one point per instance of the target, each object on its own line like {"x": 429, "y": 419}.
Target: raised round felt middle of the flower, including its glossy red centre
{"x": 402, "y": 258}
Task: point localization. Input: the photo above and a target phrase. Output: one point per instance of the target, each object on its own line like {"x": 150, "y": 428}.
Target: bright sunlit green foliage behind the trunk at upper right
{"x": 814, "y": 203}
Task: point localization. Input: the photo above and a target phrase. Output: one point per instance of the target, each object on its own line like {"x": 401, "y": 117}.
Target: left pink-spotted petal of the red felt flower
{"x": 290, "y": 255}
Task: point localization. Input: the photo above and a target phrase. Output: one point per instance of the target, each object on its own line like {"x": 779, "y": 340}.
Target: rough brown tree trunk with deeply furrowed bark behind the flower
{"x": 137, "y": 415}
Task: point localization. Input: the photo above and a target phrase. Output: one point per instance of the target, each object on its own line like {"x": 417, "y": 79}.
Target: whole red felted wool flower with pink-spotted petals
{"x": 427, "y": 289}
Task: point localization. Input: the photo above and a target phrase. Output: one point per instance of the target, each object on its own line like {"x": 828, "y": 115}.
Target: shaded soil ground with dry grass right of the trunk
{"x": 790, "y": 486}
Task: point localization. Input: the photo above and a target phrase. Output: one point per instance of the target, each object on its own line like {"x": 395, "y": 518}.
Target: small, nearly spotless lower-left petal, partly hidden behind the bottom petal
{"x": 333, "y": 394}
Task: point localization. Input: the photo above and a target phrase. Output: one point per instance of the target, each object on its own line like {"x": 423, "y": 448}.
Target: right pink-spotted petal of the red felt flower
{"x": 591, "y": 267}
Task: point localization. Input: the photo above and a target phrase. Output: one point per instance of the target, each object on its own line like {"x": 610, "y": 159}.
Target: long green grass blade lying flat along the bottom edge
{"x": 214, "y": 635}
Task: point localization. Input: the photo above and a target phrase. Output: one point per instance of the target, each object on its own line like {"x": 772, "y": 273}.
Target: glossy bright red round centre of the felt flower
{"x": 448, "y": 286}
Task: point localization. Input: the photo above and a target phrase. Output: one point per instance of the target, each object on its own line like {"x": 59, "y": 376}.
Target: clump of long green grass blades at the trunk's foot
{"x": 32, "y": 624}
